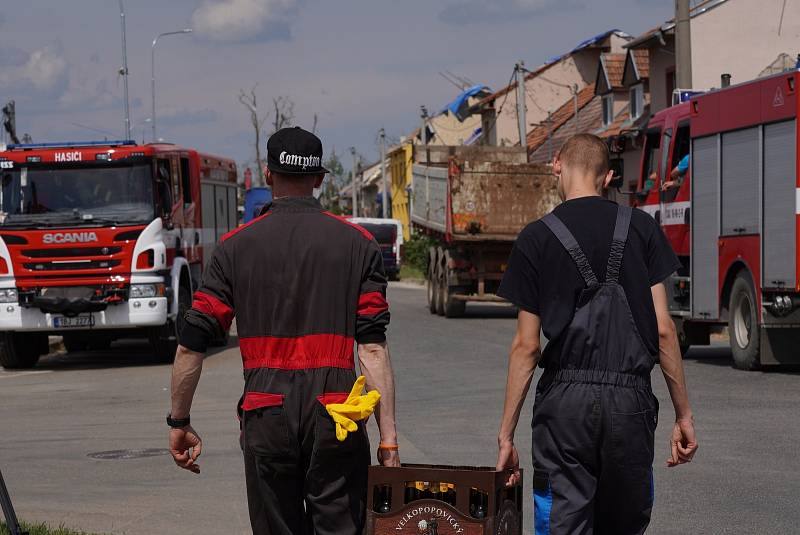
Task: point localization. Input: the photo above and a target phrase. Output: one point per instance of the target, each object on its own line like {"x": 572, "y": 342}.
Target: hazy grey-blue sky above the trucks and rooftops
{"x": 357, "y": 65}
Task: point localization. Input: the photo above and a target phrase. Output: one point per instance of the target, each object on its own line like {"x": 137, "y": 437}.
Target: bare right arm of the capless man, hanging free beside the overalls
{"x": 683, "y": 442}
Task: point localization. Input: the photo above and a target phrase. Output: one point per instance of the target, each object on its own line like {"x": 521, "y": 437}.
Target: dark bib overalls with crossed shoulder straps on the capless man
{"x": 595, "y": 414}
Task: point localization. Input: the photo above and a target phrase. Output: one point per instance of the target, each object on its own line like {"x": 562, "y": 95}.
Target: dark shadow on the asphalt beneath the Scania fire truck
{"x": 124, "y": 353}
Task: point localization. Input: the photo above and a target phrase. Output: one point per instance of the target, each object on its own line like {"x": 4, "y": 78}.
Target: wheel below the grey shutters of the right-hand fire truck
{"x": 743, "y": 326}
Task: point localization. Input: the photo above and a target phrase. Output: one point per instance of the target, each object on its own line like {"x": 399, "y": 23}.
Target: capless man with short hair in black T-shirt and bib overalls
{"x": 590, "y": 275}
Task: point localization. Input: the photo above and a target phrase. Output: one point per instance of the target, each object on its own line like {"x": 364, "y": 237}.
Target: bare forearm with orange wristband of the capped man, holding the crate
{"x": 376, "y": 365}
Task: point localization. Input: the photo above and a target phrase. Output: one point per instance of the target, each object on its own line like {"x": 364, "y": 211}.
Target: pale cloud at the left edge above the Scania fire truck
{"x": 43, "y": 72}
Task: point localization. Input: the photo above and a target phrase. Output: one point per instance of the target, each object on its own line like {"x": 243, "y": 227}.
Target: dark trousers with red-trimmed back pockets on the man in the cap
{"x": 292, "y": 457}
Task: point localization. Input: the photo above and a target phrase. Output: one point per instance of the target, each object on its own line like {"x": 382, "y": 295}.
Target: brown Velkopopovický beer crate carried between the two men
{"x": 466, "y": 500}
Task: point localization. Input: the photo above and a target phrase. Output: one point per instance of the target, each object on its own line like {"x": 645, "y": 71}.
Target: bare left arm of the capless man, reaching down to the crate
{"x": 522, "y": 361}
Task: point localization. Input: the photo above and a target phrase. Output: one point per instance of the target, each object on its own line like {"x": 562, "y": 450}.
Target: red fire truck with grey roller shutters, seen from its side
{"x": 732, "y": 218}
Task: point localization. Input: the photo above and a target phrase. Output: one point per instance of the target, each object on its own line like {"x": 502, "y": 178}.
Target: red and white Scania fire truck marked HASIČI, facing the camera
{"x": 105, "y": 240}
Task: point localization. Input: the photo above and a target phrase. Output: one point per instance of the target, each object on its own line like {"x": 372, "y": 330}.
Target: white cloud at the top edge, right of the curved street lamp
{"x": 244, "y": 20}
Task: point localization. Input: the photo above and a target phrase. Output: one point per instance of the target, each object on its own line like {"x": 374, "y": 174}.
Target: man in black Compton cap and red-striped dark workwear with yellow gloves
{"x": 304, "y": 286}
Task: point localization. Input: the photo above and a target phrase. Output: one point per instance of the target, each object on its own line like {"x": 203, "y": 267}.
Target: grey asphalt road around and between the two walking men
{"x": 450, "y": 377}
